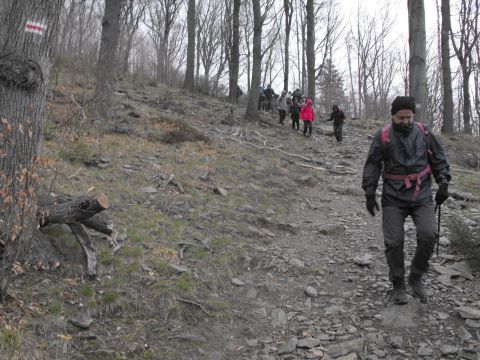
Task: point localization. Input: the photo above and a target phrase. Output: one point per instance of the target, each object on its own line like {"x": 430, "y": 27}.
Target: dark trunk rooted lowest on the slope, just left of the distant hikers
{"x": 252, "y": 107}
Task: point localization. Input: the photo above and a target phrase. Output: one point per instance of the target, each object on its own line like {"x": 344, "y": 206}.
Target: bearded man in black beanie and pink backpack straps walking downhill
{"x": 409, "y": 154}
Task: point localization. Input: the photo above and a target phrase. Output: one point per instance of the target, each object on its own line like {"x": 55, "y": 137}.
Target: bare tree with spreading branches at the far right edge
{"x": 463, "y": 44}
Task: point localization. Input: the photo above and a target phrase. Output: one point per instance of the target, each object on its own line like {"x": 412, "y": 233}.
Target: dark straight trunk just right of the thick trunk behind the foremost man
{"x": 447, "y": 125}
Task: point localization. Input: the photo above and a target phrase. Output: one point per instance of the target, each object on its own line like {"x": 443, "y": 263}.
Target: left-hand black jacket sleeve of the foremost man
{"x": 373, "y": 166}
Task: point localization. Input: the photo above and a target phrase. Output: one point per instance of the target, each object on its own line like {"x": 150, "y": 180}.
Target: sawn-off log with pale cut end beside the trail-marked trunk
{"x": 81, "y": 208}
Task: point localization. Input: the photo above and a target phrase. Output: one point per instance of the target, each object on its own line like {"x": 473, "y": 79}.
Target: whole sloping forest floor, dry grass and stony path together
{"x": 254, "y": 245}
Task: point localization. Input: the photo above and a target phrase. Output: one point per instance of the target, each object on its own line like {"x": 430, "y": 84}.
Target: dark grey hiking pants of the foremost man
{"x": 394, "y": 236}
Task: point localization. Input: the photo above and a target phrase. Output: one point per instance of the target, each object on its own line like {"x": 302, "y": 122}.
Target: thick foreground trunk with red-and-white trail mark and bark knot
{"x": 29, "y": 34}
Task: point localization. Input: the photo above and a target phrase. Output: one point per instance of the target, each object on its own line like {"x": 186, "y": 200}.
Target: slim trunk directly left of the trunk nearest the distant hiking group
{"x": 234, "y": 65}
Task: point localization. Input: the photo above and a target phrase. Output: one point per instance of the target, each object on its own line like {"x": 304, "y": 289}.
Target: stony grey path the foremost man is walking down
{"x": 320, "y": 289}
